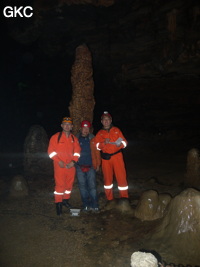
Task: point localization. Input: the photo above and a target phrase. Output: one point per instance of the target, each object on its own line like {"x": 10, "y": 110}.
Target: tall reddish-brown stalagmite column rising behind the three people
{"x": 82, "y": 102}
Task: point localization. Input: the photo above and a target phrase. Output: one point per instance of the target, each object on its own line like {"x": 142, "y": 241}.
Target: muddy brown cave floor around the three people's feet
{"x": 33, "y": 235}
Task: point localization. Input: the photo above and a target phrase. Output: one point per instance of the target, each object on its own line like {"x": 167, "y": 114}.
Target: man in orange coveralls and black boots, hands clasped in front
{"x": 64, "y": 150}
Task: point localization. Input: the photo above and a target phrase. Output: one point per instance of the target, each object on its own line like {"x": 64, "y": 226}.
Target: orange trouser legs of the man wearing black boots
{"x": 64, "y": 180}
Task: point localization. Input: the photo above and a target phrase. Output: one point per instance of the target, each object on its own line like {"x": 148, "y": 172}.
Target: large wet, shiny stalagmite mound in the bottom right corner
{"x": 177, "y": 237}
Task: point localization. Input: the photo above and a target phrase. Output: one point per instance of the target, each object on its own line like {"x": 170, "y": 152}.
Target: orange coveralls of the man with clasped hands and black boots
{"x": 66, "y": 149}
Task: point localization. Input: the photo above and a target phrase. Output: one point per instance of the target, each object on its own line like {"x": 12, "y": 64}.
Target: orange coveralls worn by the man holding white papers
{"x": 115, "y": 165}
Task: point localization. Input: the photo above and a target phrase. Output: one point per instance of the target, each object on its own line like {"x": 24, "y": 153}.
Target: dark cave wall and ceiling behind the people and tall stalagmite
{"x": 146, "y": 62}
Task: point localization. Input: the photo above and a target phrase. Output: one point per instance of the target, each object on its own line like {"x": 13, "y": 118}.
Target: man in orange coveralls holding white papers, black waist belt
{"x": 111, "y": 141}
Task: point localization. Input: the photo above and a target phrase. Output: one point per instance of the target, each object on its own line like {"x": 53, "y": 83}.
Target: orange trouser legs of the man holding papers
{"x": 115, "y": 166}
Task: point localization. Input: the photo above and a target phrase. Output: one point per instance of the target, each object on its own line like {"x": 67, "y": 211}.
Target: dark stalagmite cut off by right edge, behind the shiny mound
{"x": 192, "y": 177}
